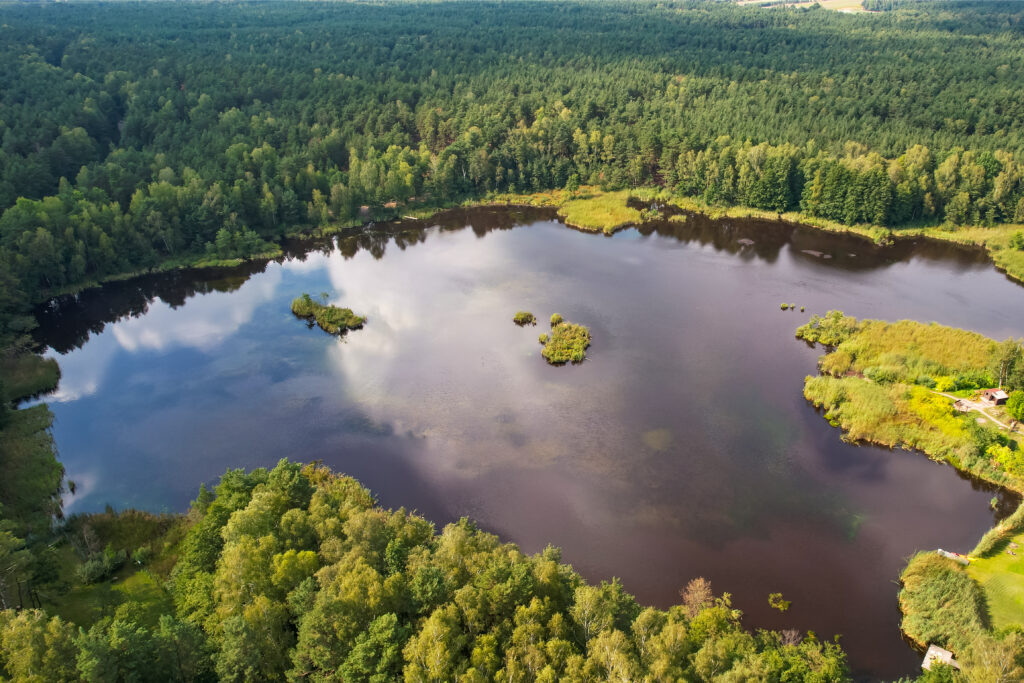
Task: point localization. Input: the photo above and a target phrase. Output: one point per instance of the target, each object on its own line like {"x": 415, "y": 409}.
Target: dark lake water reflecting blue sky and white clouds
{"x": 682, "y": 447}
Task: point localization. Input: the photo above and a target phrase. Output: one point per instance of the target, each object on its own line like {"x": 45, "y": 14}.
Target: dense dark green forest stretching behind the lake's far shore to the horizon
{"x": 136, "y": 136}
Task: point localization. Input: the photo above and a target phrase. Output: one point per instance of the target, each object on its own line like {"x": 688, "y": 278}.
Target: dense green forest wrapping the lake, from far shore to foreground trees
{"x": 147, "y": 136}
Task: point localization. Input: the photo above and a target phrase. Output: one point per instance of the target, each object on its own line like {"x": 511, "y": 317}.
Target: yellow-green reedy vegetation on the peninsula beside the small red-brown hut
{"x": 903, "y": 362}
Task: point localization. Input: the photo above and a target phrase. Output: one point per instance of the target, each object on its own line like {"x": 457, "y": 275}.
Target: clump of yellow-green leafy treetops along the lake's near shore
{"x": 375, "y": 595}
